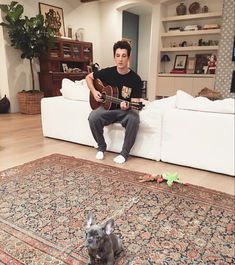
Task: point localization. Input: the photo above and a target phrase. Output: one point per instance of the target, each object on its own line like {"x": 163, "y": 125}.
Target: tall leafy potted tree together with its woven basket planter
{"x": 31, "y": 36}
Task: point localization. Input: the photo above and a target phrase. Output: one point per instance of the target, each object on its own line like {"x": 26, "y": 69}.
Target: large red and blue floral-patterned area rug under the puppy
{"x": 44, "y": 204}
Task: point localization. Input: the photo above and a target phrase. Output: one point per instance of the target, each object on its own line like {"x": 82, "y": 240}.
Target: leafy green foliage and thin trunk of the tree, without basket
{"x": 29, "y": 35}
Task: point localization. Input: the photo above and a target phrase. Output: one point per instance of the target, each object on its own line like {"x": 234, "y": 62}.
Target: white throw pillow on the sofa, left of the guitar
{"x": 77, "y": 90}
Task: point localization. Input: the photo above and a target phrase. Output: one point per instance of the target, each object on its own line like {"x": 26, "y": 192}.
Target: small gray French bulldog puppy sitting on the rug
{"x": 102, "y": 245}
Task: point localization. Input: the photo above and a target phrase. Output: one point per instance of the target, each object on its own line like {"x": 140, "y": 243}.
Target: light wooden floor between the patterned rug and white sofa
{"x": 21, "y": 140}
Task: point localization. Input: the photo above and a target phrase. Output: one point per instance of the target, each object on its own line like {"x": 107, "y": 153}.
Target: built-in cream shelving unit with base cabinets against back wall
{"x": 176, "y": 40}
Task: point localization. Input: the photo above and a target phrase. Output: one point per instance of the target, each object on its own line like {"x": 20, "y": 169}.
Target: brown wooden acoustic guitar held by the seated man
{"x": 109, "y": 95}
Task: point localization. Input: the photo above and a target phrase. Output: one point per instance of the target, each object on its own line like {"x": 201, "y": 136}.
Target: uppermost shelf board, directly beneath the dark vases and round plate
{"x": 192, "y": 17}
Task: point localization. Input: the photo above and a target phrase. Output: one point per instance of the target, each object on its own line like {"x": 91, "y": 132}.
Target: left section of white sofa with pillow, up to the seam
{"x": 66, "y": 117}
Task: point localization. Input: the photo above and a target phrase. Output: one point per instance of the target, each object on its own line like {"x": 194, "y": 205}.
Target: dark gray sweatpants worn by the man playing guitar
{"x": 129, "y": 119}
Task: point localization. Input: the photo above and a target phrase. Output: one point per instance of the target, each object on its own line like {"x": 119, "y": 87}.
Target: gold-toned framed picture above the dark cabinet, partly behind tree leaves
{"x": 53, "y": 17}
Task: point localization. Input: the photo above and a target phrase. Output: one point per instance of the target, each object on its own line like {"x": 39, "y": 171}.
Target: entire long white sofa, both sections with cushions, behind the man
{"x": 183, "y": 130}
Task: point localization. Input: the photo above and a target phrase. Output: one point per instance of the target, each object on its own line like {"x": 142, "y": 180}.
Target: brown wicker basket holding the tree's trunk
{"x": 30, "y": 102}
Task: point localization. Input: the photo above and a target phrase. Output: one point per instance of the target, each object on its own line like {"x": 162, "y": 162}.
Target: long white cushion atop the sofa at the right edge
{"x": 188, "y": 102}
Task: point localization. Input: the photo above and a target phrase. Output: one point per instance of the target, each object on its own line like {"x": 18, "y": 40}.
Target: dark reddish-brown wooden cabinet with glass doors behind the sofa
{"x": 65, "y": 59}
